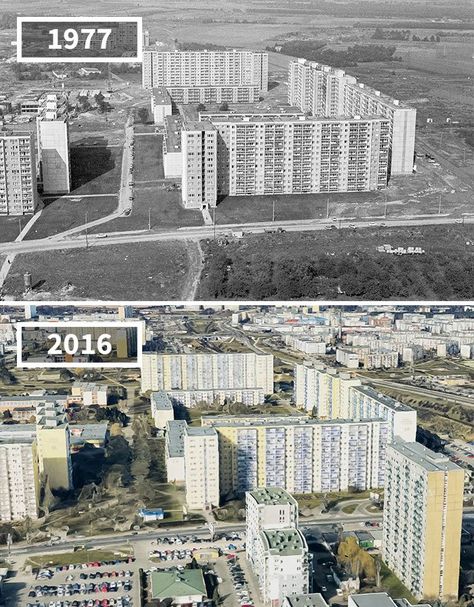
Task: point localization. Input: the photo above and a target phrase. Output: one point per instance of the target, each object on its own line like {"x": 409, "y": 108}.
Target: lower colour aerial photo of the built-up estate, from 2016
{"x": 261, "y": 455}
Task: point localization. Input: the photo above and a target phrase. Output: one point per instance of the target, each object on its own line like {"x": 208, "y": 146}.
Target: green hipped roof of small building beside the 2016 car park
{"x": 172, "y": 584}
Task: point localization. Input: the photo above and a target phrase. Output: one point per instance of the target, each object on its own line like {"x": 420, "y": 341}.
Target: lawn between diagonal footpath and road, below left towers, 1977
{"x": 63, "y": 213}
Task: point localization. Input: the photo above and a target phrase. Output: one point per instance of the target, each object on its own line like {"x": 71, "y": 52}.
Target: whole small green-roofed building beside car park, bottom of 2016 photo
{"x": 178, "y": 587}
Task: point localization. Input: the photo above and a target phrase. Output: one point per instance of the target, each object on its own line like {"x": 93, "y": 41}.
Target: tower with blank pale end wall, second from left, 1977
{"x": 53, "y": 146}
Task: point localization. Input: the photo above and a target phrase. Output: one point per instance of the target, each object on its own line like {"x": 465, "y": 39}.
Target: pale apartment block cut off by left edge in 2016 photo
{"x": 19, "y": 486}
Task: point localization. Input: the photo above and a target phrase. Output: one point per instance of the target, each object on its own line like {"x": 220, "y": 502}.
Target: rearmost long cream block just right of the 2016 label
{"x": 207, "y": 371}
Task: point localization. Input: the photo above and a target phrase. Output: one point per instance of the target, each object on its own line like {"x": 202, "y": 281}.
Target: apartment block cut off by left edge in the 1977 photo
{"x": 18, "y": 193}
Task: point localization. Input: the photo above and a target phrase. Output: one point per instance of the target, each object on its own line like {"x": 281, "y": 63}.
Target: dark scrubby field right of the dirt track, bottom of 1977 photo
{"x": 338, "y": 264}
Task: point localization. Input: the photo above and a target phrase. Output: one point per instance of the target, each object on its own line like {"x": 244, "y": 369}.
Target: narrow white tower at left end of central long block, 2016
{"x": 201, "y": 467}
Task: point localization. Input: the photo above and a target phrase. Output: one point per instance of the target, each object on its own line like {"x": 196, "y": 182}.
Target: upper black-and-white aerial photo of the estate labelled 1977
{"x": 220, "y": 150}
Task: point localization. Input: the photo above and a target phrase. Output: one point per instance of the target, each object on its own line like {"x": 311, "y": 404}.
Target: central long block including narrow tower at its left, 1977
{"x": 248, "y": 155}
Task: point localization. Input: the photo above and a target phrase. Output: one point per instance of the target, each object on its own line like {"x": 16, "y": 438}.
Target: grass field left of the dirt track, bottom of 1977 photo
{"x": 120, "y": 272}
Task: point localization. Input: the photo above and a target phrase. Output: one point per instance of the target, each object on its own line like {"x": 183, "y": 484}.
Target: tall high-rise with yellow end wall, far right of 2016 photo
{"x": 422, "y": 521}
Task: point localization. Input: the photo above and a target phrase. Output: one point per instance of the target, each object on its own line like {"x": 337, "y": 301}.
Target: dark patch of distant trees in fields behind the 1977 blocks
{"x": 359, "y": 53}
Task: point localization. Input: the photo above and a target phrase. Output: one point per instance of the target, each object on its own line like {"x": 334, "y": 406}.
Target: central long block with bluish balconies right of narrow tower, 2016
{"x": 299, "y": 454}
